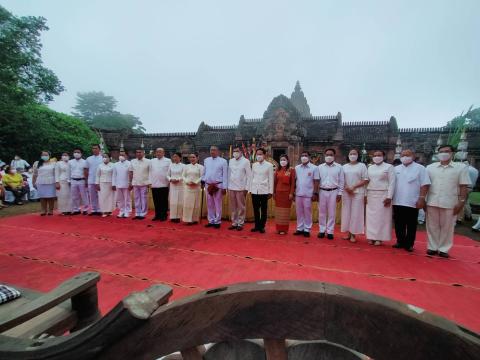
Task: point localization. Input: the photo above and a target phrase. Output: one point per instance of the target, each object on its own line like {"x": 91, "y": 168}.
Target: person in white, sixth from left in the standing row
{"x": 120, "y": 183}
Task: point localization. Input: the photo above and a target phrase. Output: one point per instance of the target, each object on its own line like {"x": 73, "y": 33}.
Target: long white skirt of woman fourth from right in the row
{"x": 353, "y": 213}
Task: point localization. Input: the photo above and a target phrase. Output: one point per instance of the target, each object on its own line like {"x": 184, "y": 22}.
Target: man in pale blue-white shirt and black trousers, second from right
{"x": 411, "y": 187}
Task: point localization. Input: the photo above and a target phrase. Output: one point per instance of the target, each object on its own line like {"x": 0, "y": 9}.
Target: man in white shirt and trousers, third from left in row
{"x": 78, "y": 182}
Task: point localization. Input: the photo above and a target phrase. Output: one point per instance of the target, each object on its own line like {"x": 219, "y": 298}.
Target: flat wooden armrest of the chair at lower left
{"x": 64, "y": 291}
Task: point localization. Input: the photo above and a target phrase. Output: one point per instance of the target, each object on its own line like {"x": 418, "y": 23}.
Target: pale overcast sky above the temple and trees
{"x": 176, "y": 63}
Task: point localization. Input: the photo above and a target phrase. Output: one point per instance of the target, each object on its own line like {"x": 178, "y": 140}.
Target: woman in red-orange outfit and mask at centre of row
{"x": 284, "y": 188}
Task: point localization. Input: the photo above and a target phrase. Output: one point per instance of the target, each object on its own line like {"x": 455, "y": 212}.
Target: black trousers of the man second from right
{"x": 405, "y": 218}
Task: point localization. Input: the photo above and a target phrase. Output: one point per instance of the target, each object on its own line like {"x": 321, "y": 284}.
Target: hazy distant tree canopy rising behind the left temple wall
{"x": 98, "y": 111}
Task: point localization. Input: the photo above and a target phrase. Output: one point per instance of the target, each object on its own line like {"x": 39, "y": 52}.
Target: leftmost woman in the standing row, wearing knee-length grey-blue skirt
{"x": 44, "y": 181}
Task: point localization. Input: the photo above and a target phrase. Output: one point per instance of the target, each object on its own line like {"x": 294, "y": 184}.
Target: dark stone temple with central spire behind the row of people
{"x": 287, "y": 126}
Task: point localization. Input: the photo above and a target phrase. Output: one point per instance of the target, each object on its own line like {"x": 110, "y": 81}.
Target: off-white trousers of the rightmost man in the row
{"x": 440, "y": 228}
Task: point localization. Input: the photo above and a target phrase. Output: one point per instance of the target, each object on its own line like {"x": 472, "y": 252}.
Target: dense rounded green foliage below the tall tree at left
{"x": 32, "y": 128}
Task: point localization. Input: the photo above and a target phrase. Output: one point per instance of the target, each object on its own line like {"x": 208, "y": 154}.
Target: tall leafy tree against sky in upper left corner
{"x": 23, "y": 78}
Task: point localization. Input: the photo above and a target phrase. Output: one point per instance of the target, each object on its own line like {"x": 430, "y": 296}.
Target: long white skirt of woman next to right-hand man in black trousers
{"x": 379, "y": 217}
